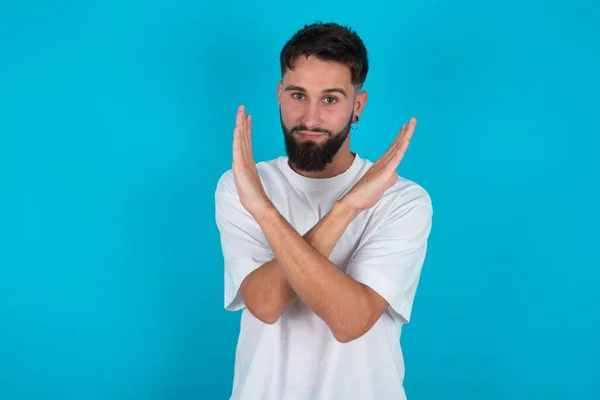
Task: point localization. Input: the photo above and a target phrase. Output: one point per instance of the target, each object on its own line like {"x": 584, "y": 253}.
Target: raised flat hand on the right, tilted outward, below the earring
{"x": 382, "y": 174}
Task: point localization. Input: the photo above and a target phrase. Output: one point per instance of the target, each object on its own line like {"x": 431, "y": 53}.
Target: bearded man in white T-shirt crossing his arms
{"x": 323, "y": 249}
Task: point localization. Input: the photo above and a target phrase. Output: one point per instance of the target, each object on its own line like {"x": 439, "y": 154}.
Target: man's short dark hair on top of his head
{"x": 328, "y": 42}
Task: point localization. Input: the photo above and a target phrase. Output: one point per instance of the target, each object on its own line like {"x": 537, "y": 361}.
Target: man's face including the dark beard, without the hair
{"x": 317, "y": 104}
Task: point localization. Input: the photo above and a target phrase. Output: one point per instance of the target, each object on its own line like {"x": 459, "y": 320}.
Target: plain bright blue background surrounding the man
{"x": 116, "y": 122}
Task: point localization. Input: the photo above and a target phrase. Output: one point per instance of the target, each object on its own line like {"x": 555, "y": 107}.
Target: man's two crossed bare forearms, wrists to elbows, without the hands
{"x": 302, "y": 268}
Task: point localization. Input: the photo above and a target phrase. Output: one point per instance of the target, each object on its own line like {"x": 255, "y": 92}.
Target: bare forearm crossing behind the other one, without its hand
{"x": 266, "y": 290}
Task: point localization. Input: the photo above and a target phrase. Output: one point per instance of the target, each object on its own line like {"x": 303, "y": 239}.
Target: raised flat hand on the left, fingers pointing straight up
{"x": 249, "y": 187}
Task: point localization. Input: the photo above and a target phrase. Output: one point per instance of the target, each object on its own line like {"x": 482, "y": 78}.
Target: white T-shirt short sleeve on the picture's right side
{"x": 392, "y": 256}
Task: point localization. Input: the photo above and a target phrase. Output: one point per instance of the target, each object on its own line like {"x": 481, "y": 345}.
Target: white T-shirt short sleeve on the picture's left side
{"x": 243, "y": 244}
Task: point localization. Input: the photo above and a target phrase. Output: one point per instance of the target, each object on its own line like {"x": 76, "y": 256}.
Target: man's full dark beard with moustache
{"x": 310, "y": 156}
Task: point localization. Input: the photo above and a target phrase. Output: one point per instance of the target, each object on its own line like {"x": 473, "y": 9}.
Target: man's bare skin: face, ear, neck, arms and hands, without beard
{"x": 301, "y": 268}
